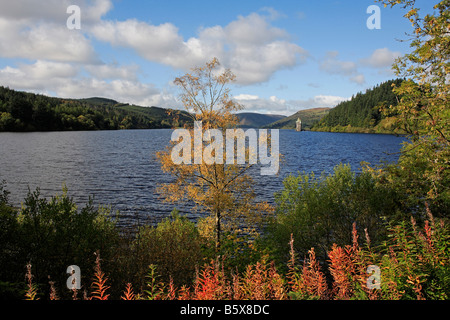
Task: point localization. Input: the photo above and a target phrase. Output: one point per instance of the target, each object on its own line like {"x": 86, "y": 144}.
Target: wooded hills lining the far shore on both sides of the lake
{"x": 22, "y": 111}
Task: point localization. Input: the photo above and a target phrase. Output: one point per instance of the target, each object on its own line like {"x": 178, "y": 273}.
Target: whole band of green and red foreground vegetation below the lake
{"x": 176, "y": 259}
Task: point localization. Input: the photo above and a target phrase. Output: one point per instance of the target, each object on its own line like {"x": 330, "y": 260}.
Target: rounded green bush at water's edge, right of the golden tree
{"x": 320, "y": 211}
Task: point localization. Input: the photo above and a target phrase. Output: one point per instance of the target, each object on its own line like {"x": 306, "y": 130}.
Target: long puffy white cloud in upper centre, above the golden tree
{"x": 250, "y": 46}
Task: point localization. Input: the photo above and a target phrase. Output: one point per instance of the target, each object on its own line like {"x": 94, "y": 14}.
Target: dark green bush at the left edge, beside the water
{"x": 52, "y": 235}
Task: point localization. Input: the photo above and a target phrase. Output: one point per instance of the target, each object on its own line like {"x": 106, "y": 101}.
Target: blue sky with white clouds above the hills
{"x": 287, "y": 55}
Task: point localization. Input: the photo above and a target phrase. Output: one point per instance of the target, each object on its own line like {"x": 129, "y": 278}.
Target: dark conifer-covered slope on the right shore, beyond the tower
{"x": 362, "y": 112}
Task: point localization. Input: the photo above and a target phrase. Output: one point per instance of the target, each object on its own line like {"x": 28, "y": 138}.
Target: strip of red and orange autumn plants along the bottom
{"x": 414, "y": 265}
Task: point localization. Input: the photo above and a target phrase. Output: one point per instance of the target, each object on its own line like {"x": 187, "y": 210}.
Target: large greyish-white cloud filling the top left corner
{"x": 37, "y": 30}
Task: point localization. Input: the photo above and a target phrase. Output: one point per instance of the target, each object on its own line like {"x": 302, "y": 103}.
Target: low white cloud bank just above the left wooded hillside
{"x": 68, "y": 81}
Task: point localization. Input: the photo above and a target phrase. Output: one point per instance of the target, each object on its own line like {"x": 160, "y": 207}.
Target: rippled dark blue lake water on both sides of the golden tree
{"x": 119, "y": 168}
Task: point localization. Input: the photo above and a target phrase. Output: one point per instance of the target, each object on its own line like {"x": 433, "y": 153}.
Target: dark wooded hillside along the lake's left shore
{"x": 22, "y": 111}
